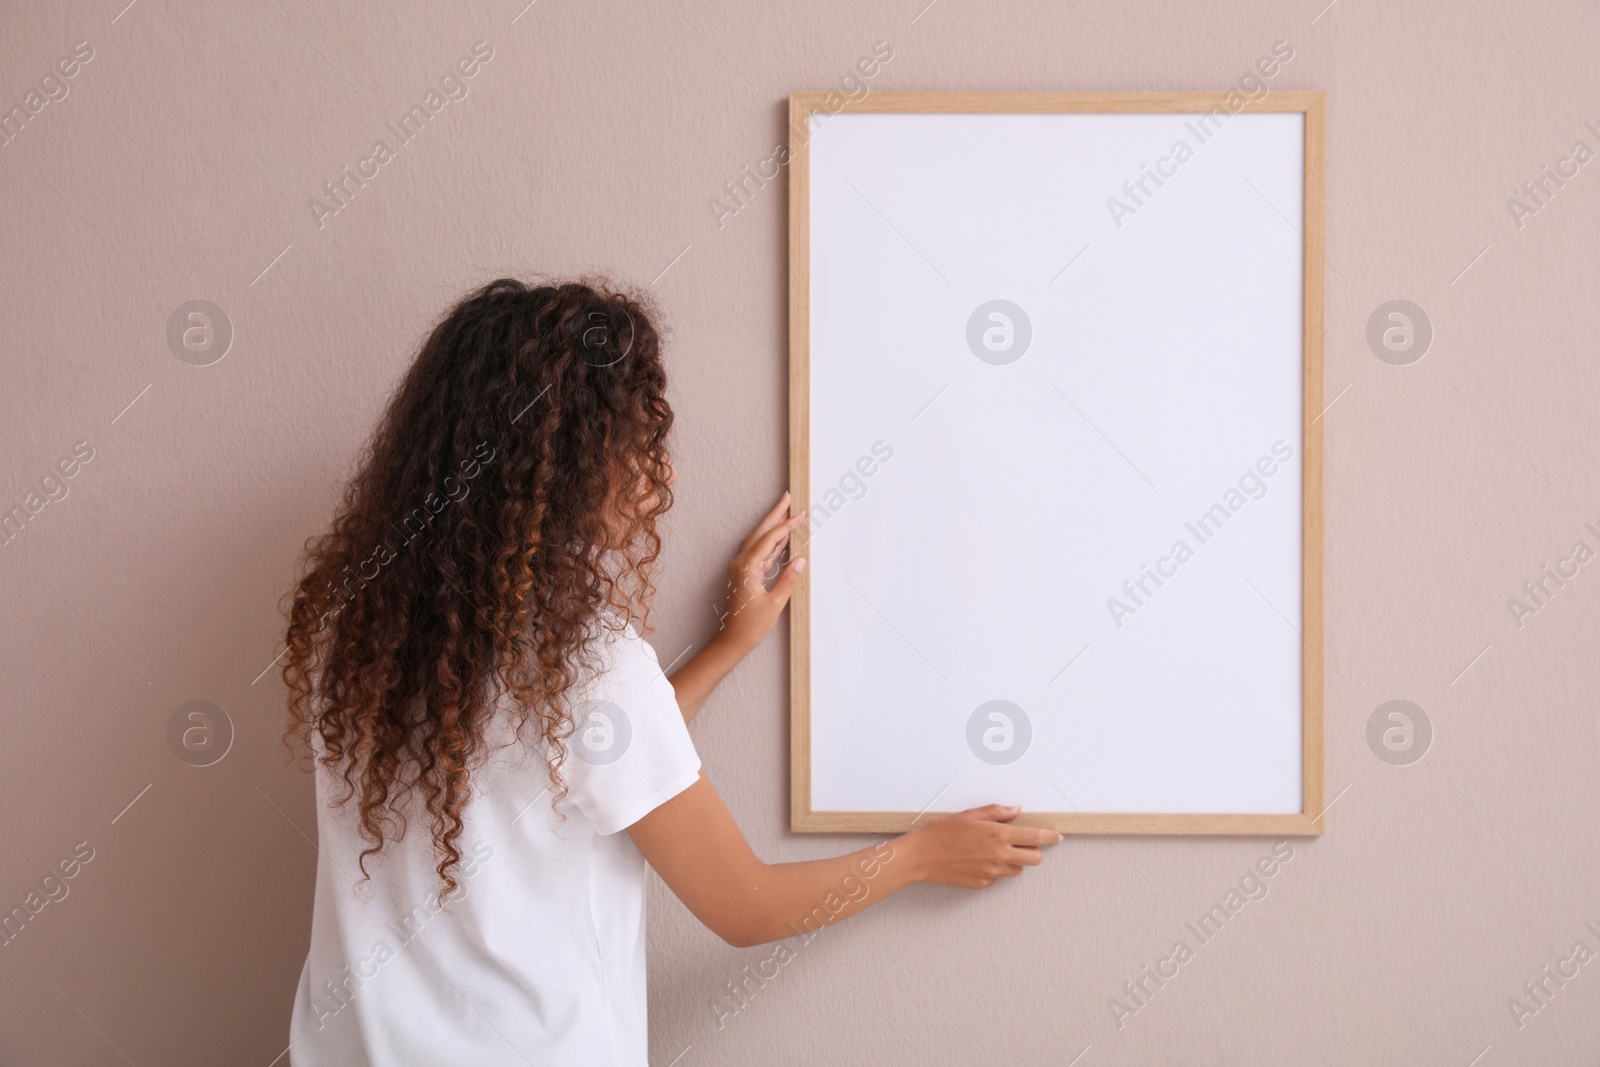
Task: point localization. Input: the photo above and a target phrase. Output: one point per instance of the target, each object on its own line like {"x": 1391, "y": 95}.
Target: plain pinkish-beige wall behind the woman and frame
{"x": 180, "y": 167}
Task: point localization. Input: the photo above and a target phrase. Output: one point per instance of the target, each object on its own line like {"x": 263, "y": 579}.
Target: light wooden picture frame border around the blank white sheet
{"x": 1310, "y": 821}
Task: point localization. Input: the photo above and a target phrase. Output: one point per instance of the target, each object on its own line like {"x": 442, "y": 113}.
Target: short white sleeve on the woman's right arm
{"x": 630, "y": 751}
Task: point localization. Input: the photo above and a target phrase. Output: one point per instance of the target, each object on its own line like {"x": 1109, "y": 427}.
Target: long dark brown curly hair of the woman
{"x": 505, "y": 511}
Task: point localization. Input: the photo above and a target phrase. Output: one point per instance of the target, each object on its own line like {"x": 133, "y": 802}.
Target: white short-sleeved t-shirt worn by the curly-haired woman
{"x": 540, "y": 957}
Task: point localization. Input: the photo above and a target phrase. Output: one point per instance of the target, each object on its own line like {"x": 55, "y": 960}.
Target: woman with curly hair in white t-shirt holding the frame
{"x": 498, "y": 753}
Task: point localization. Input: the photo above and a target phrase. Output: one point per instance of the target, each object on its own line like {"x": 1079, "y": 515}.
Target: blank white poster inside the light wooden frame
{"x": 1055, "y": 450}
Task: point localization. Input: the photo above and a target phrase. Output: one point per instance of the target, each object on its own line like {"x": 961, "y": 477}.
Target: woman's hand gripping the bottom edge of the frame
{"x": 975, "y": 849}
